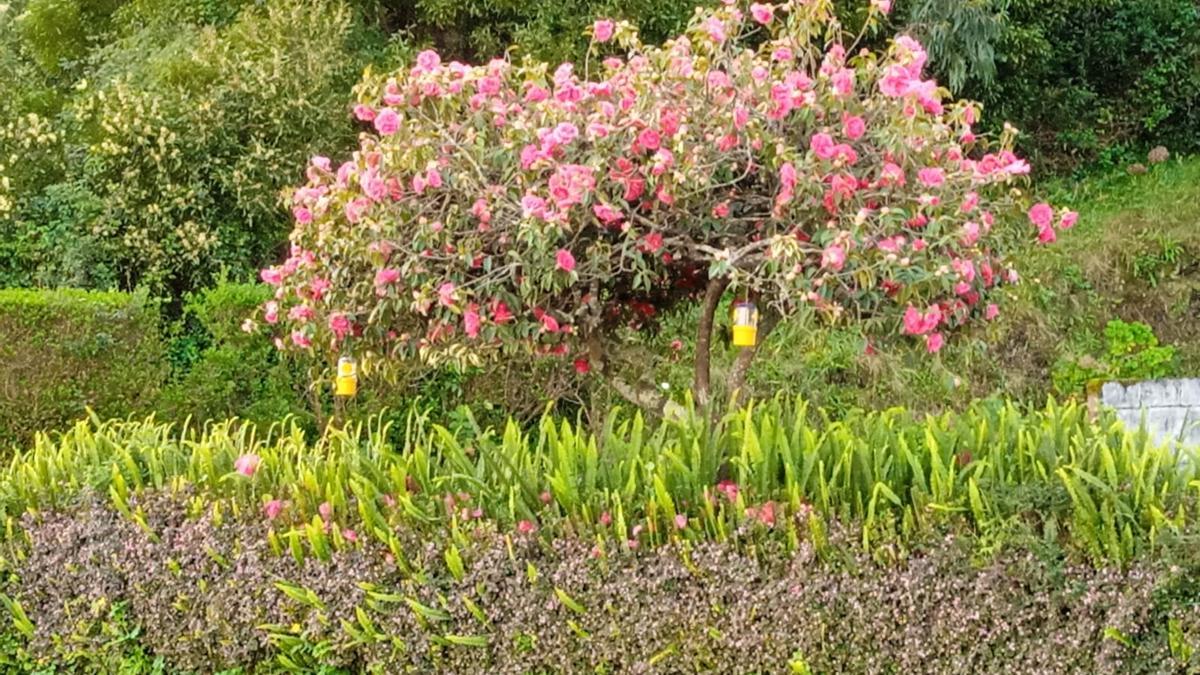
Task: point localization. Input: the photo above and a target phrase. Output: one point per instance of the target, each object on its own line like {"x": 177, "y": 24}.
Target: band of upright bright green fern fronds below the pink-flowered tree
{"x": 1113, "y": 493}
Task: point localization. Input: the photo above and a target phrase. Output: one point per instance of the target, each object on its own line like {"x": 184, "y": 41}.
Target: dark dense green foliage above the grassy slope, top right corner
{"x": 1085, "y": 76}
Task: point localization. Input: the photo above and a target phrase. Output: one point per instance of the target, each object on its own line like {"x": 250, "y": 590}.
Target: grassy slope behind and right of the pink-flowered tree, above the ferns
{"x": 1136, "y": 256}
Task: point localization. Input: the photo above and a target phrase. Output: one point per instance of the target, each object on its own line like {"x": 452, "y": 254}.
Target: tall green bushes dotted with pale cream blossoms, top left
{"x": 161, "y": 158}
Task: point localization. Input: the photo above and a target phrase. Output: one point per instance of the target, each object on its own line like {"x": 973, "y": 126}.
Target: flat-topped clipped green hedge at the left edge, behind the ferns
{"x": 65, "y": 351}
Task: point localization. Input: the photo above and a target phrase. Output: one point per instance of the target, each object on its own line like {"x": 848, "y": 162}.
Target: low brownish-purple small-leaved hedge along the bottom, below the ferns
{"x": 209, "y": 595}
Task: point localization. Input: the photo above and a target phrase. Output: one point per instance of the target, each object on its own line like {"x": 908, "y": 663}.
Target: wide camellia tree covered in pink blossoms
{"x": 560, "y": 211}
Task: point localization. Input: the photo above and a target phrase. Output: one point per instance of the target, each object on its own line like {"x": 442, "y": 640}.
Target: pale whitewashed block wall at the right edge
{"x": 1172, "y": 408}
